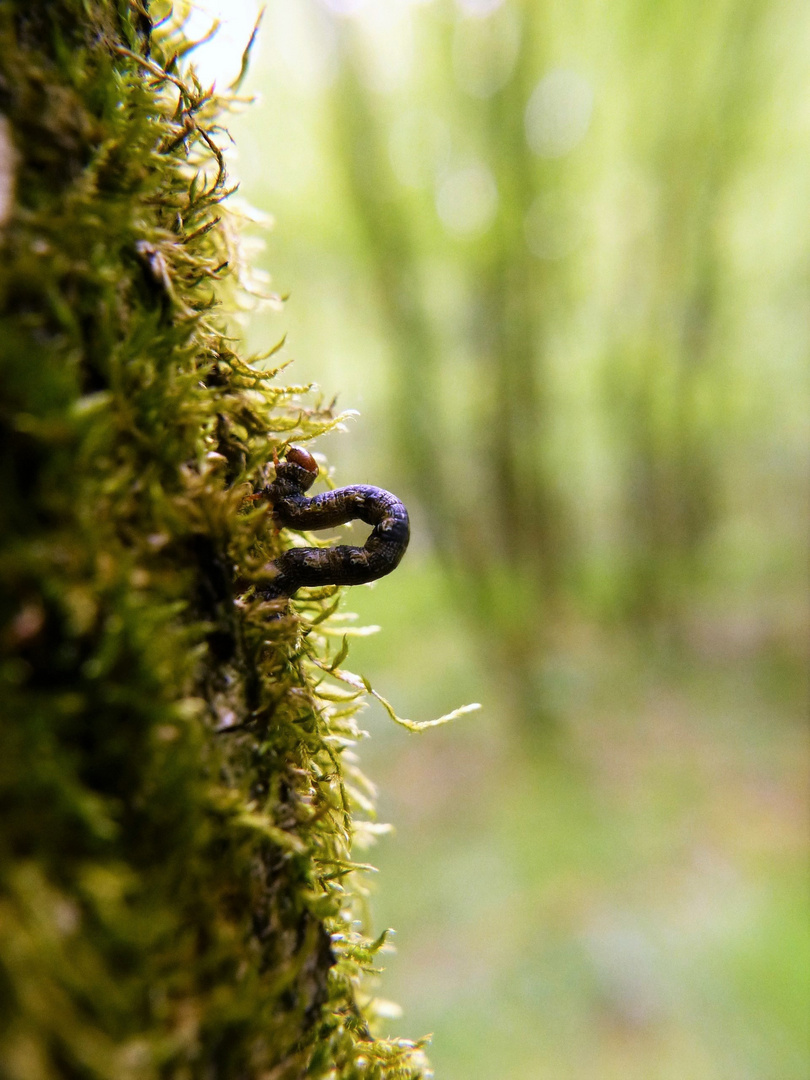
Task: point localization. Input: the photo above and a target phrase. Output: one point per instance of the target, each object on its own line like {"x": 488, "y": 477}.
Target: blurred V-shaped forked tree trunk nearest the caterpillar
{"x": 508, "y": 515}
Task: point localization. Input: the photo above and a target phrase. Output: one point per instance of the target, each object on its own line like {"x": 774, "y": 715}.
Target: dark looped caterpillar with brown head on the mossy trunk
{"x": 332, "y": 566}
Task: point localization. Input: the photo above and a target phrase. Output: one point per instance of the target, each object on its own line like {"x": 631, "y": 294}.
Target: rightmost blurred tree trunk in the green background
{"x": 669, "y": 393}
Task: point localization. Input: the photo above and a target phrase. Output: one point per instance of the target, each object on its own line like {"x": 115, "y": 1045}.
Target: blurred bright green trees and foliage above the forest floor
{"x": 568, "y": 236}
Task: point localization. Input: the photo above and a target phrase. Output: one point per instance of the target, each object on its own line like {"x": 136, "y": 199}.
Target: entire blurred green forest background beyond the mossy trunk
{"x": 558, "y": 255}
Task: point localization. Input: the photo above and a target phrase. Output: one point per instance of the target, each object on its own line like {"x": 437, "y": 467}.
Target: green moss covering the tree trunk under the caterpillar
{"x": 178, "y": 796}
